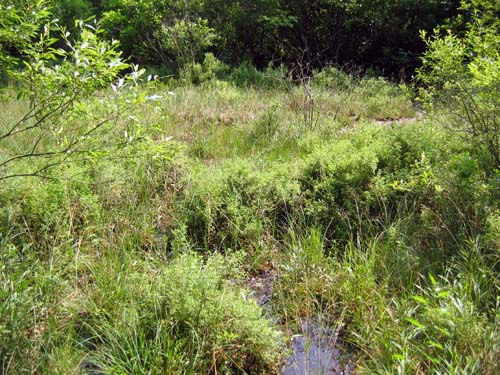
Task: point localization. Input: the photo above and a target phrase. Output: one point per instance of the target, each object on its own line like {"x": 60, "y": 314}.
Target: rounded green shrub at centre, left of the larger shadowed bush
{"x": 233, "y": 207}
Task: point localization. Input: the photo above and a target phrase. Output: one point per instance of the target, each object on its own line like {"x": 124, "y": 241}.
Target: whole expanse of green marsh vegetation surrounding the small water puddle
{"x": 137, "y": 261}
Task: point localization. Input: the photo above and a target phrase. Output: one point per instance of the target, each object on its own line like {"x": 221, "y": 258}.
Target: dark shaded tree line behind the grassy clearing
{"x": 377, "y": 34}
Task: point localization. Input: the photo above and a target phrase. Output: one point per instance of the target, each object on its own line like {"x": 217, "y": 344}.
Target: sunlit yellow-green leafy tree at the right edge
{"x": 461, "y": 76}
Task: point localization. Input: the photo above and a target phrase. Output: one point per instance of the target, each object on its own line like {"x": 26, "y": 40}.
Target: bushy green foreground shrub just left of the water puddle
{"x": 189, "y": 319}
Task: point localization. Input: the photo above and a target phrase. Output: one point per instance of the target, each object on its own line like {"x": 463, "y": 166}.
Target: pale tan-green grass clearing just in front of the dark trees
{"x": 218, "y": 120}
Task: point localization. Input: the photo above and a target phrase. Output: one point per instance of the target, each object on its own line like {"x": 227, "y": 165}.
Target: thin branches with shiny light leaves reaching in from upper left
{"x": 61, "y": 87}
